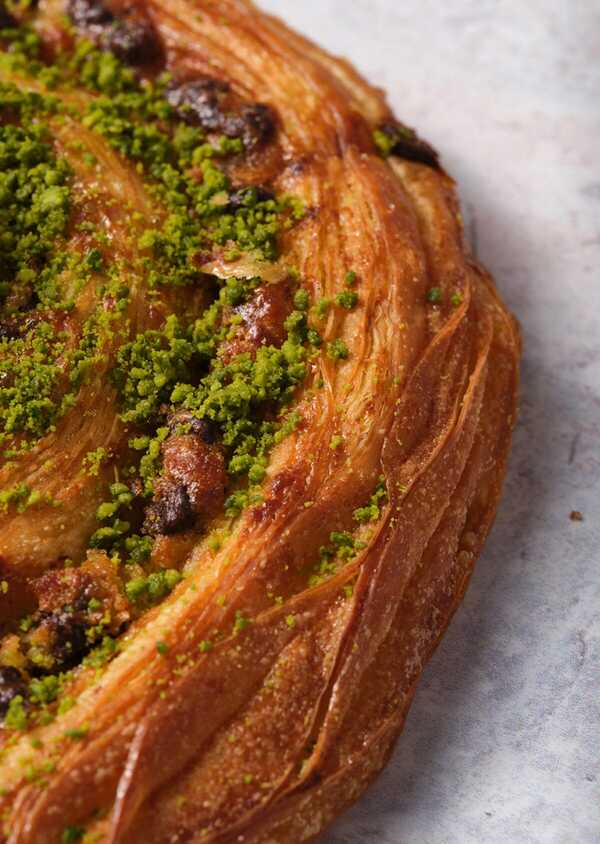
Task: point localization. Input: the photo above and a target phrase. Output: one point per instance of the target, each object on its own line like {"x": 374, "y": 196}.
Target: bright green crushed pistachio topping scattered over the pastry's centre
{"x": 143, "y": 327}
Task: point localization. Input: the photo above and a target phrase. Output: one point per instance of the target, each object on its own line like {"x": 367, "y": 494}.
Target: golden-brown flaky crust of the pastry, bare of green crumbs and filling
{"x": 272, "y": 732}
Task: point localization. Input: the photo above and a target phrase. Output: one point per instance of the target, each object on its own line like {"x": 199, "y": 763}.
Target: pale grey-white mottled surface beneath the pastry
{"x": 503, "y": 742}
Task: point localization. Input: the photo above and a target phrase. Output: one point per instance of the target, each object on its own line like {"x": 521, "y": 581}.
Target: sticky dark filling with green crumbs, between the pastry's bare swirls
{"x": 204, "y": 395}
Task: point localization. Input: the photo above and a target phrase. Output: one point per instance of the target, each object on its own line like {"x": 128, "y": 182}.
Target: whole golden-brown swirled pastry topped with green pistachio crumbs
{"x": 256, "y": 401}
